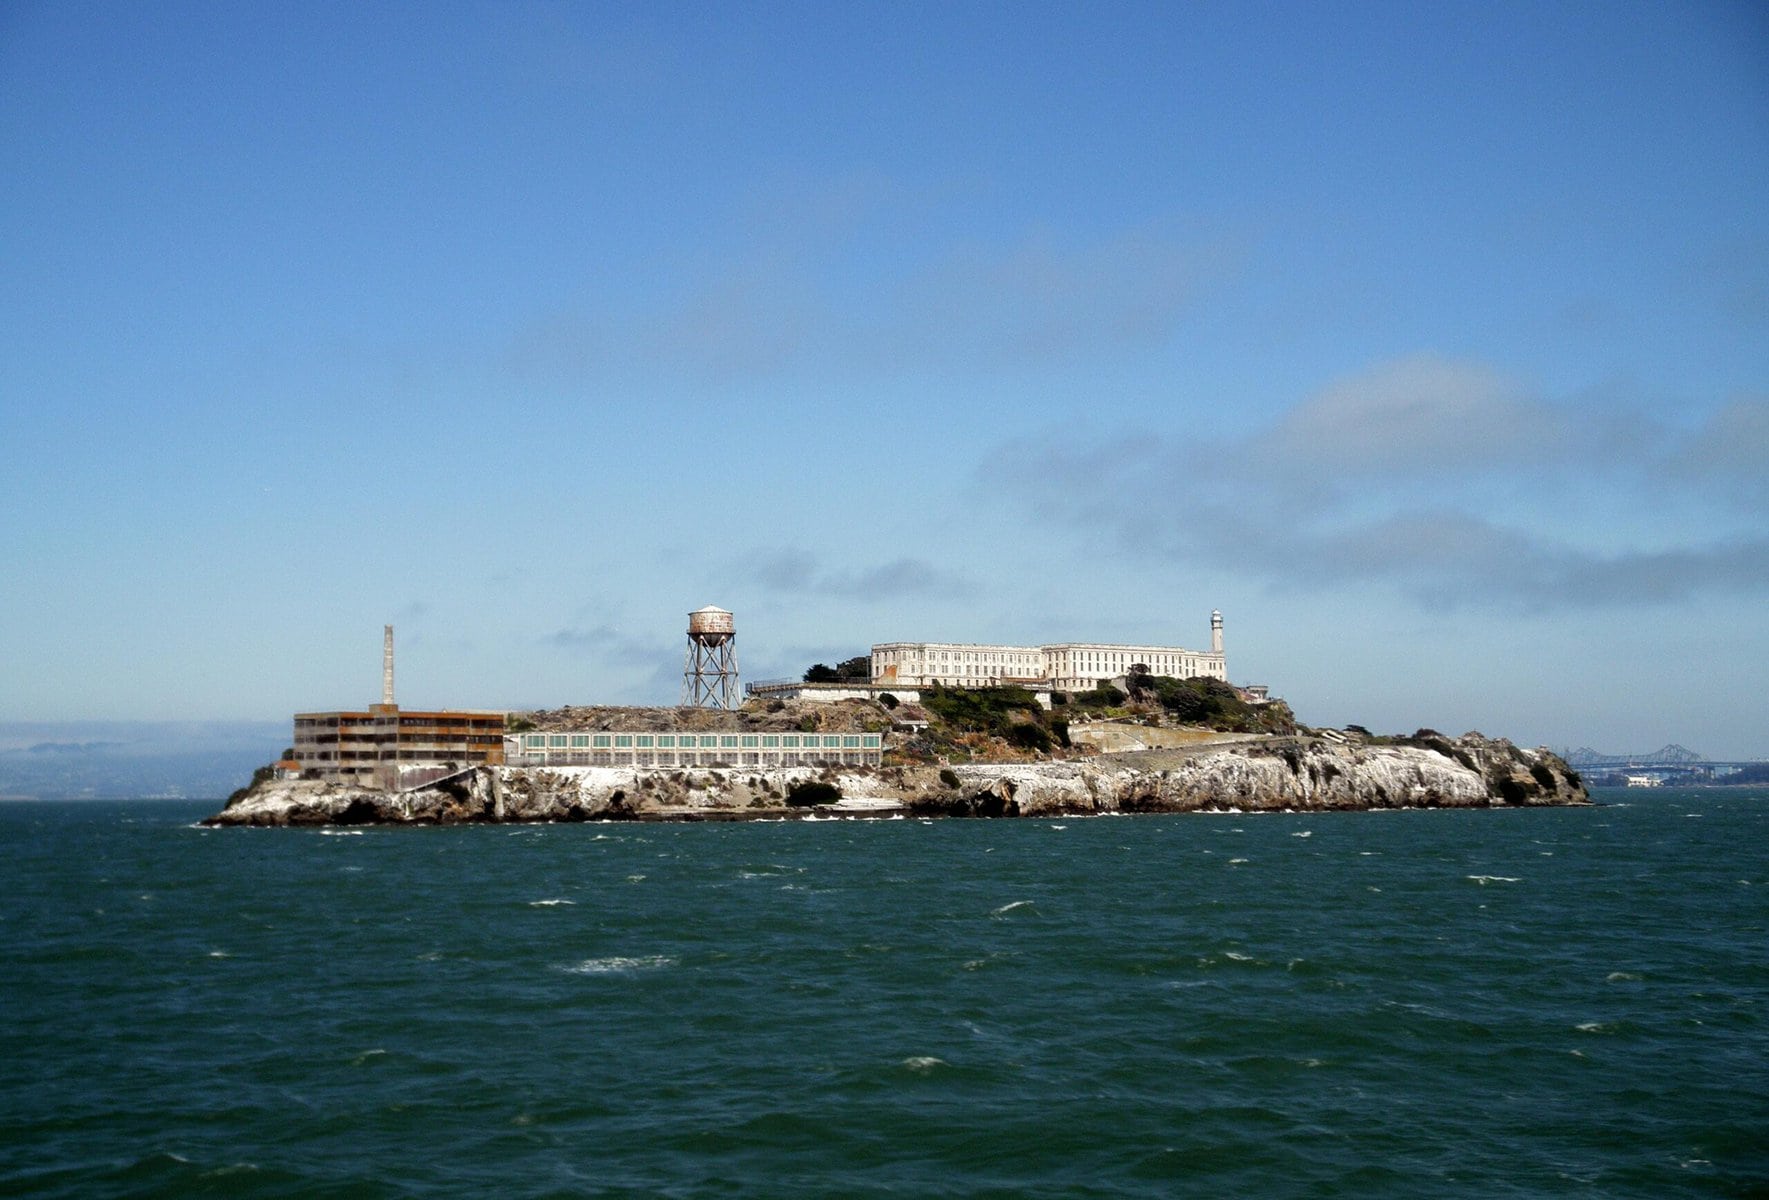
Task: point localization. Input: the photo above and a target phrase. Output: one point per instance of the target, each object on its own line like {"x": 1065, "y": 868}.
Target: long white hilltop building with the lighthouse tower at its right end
{"x": 1066, "y": 666}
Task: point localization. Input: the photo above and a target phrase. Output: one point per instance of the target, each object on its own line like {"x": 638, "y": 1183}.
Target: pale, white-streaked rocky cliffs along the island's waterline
{"x": 1326, "y": 771}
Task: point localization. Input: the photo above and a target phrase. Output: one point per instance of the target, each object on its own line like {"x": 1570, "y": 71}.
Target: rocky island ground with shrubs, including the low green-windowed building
{"x": 1160, "y": 746}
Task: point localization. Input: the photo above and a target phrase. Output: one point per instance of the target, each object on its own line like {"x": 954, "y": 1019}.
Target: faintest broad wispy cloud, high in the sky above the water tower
{"x": 864, "y": 284}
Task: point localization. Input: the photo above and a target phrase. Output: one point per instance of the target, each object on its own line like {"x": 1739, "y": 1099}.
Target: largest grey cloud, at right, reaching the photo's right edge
{"x": 1446, "y": 482}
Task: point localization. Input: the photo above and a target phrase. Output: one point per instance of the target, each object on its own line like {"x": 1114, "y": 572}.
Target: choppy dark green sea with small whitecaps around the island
{"x": 1563, "y": 1003}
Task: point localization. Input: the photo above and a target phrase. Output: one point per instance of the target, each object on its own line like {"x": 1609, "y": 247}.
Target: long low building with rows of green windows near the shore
{"x": 615, "y": 748}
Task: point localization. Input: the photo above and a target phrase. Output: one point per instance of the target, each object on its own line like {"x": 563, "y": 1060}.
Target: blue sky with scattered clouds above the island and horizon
{"x": 1428, "y": 342}
